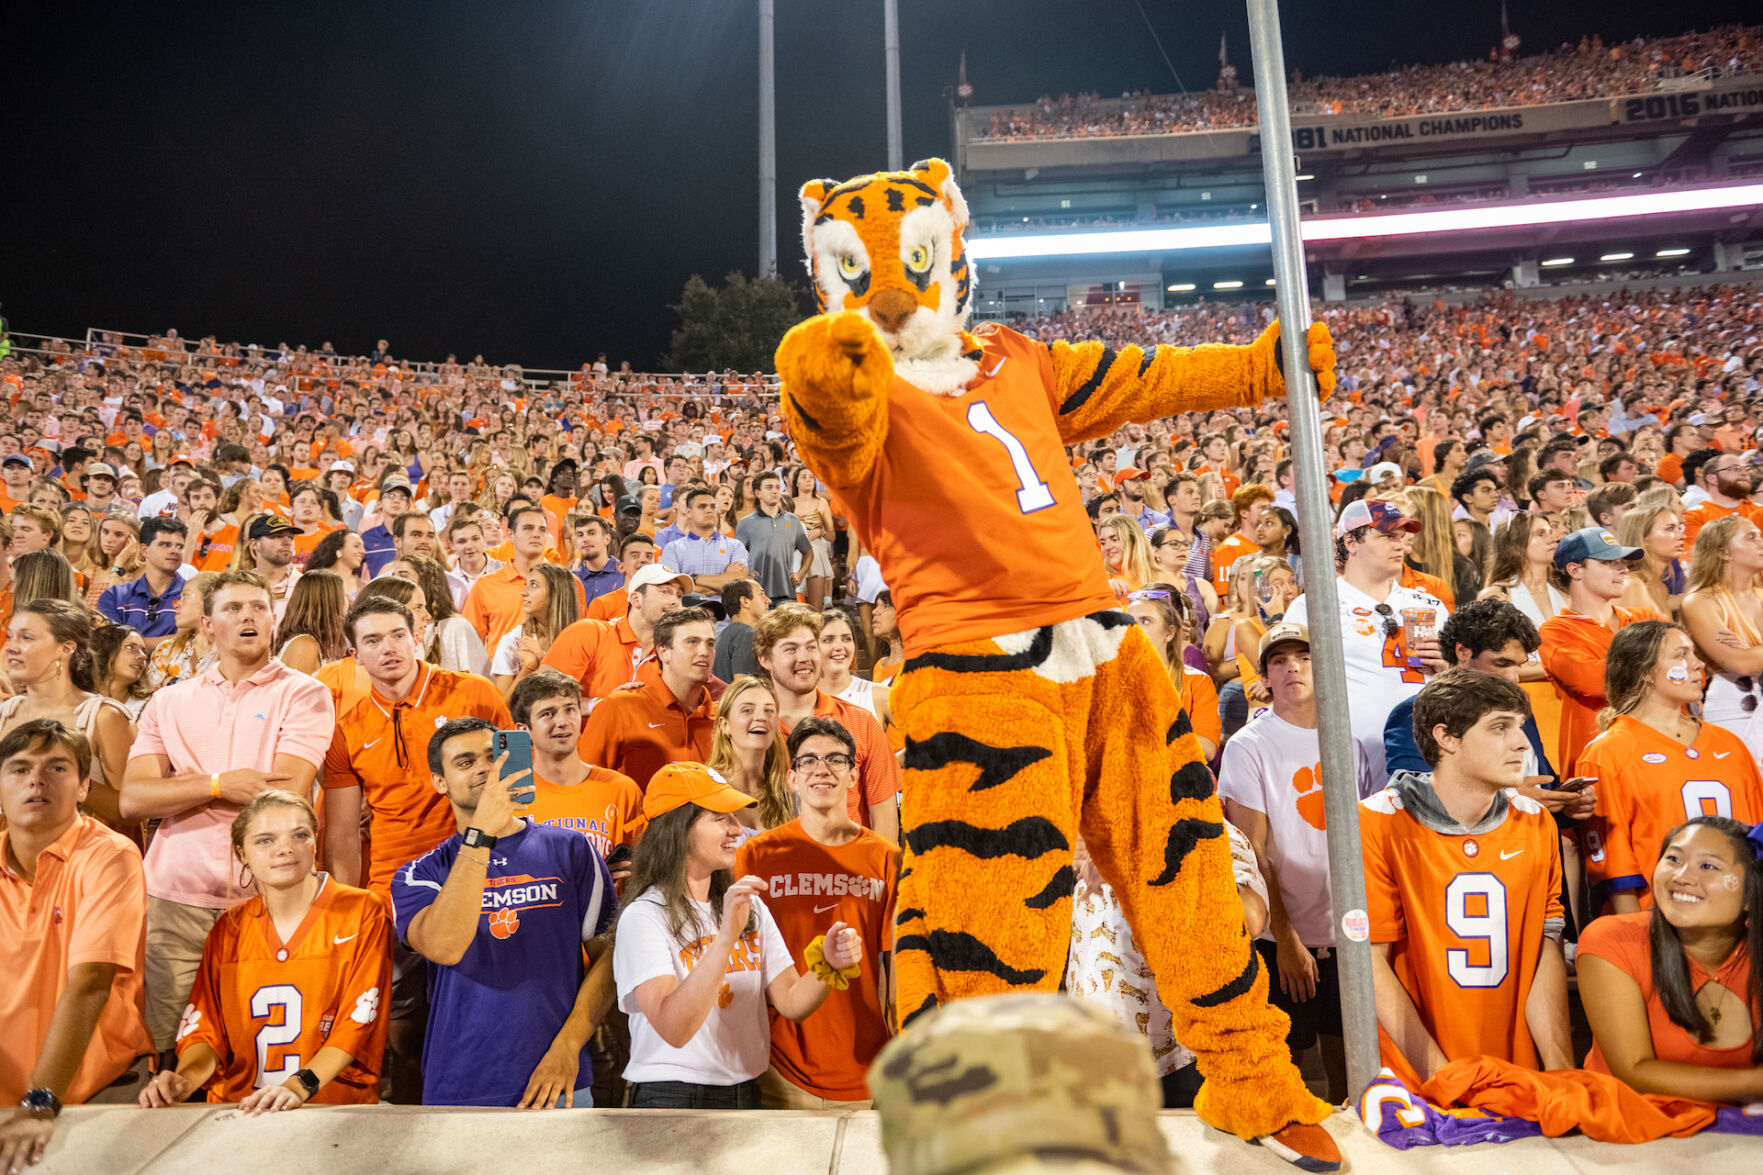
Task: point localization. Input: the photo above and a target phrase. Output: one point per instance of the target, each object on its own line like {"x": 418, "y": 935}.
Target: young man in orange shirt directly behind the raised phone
{"x": 600, "y": 804}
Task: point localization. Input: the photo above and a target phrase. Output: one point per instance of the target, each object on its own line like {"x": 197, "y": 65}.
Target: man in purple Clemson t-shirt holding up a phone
{"x": 503, "y": 911}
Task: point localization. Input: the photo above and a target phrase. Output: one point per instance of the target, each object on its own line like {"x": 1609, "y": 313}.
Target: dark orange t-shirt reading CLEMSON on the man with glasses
{"x": 810, "y": 887}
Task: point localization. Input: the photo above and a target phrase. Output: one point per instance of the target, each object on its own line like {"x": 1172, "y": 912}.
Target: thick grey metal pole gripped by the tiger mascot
{"x": 1341, "y": 793}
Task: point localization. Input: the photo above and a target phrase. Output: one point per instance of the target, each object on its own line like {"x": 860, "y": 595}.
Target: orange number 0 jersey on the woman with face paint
{"x": 1649, "y": 784}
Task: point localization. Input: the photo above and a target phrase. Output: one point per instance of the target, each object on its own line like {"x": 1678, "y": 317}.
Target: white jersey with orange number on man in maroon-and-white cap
{"x": 1378, "y": 671}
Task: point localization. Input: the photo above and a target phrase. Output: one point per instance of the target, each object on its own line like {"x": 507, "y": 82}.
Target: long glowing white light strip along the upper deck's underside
{"x": 1369, "y": 227}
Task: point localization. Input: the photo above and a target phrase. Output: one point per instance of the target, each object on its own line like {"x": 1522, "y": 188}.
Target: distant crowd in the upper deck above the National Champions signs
{"x": 1588, "y": 70}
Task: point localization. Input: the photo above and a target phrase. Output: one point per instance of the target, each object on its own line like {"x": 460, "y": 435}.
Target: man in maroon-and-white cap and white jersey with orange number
{"x": 1383, "y": 664}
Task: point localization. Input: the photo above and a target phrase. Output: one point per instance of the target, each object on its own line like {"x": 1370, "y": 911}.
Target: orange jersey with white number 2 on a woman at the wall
{"x": 264, "y": 1003}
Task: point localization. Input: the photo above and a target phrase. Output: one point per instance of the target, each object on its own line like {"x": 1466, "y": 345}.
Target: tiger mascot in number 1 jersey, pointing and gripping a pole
{"x": 1034, "y": 708}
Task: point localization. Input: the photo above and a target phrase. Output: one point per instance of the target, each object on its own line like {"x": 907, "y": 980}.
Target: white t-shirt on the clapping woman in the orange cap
{"x": 734, "y": 1044}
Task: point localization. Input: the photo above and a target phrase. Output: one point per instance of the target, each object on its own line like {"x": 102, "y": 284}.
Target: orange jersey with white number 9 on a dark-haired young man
{"x": 1464, "y": 917}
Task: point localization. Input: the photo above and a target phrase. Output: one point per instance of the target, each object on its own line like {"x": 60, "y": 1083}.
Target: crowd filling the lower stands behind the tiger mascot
{"x": 352, "y": 707}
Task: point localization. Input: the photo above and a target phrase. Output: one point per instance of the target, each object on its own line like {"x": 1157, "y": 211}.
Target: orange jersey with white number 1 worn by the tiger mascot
{"x": 972, "y": 509}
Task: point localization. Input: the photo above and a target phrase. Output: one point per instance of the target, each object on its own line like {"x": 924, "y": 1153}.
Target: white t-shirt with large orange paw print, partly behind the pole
{"x": 1274, "y": 768}
